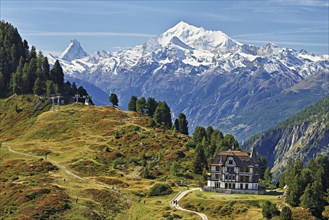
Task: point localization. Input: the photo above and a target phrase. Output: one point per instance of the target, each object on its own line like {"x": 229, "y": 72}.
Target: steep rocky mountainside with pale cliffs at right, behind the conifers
{"x": 304, "y": 135}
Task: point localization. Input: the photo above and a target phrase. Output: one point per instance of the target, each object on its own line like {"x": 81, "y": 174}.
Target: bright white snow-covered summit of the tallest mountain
{"x": 198, "y": 38}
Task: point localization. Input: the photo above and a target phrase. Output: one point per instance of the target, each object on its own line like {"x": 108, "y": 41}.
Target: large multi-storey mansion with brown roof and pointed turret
{"x": 234, "y": 171}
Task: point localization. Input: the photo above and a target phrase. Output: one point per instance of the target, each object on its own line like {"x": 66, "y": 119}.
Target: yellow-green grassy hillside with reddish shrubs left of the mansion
{"x": 107, "y": 147}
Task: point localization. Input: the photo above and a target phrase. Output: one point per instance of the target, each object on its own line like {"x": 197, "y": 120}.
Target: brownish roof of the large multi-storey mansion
{"x": 241, "y": 158}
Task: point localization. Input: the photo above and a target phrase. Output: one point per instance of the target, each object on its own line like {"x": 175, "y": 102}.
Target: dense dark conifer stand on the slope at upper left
{"x": 26, "y": 71}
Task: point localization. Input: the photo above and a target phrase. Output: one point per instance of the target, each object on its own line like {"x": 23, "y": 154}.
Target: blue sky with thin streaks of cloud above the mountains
{"x": 114, "y": 25}
